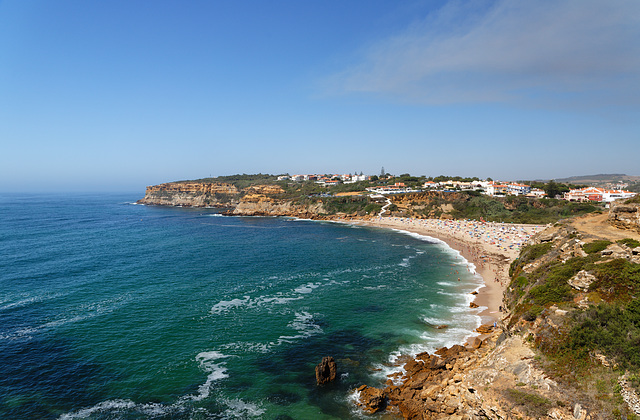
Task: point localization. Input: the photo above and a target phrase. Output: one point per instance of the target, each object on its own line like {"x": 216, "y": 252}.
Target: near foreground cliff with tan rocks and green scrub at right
{"x": 568, "y": 347}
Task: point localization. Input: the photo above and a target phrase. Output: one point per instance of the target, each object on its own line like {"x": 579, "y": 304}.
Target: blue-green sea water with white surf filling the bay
{"x": 112, "y": 310}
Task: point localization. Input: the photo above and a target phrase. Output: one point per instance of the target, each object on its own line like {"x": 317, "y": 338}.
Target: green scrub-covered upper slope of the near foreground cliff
{"x": 575, "y": 296}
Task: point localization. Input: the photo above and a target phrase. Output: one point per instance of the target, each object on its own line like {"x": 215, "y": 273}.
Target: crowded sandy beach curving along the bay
{"x": 491, "y": 247}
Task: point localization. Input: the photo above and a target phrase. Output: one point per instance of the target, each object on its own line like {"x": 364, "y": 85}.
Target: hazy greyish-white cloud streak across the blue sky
{"x": 568, "y": 52}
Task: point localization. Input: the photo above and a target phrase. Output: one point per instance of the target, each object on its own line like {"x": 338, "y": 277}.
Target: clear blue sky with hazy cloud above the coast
{"x": 118, "y": 95}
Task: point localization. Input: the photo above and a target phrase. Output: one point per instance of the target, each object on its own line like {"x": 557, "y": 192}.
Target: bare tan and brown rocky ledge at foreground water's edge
{"x": 487, "y": 378}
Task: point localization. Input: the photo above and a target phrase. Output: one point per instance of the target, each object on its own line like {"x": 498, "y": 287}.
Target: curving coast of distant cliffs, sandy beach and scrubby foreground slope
{"x": 580, "y": 264}
